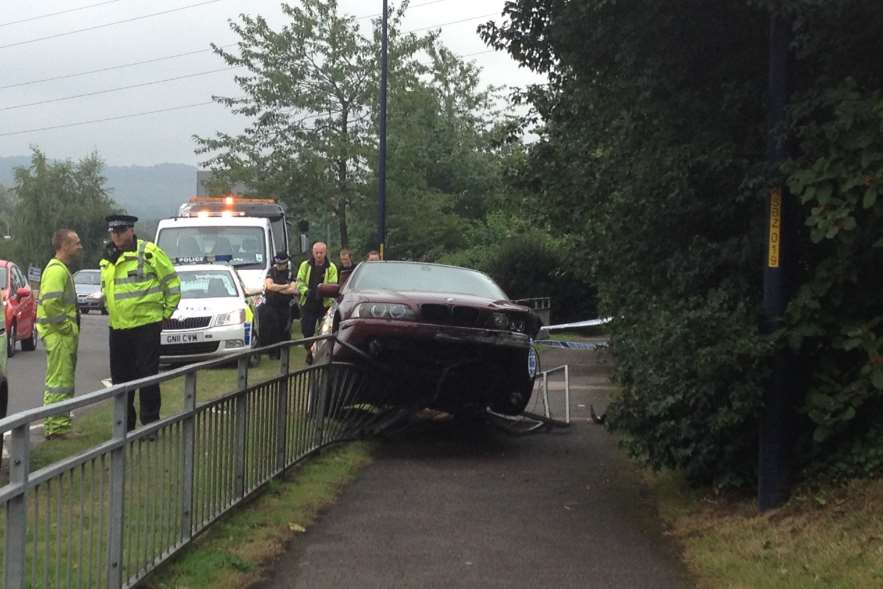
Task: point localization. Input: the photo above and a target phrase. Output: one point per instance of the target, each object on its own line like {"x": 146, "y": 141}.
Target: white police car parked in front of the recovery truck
{"x": 214, "y": 318}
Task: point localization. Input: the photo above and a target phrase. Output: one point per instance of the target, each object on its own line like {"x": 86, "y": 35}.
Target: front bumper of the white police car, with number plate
{"x": 213, "y": 342}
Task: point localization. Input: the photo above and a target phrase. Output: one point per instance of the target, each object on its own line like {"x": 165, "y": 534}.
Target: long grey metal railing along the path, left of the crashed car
{"x": 108, "y": 516}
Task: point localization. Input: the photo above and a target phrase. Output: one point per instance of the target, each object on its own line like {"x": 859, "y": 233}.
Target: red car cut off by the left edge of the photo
{"x": 20, "y": 308}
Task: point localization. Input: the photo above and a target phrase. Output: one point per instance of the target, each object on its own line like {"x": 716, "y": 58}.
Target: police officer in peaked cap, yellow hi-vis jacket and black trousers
{"x": 140, "y": 289}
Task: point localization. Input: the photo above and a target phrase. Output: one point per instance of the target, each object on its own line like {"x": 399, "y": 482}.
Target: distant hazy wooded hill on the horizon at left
{"x": 150, "y": 192}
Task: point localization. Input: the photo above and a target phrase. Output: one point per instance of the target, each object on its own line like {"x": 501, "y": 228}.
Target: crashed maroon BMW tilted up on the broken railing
{"x": 444, "y": 337}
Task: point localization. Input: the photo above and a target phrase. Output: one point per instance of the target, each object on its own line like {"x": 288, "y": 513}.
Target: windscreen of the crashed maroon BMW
{"x": 424, "y": 278}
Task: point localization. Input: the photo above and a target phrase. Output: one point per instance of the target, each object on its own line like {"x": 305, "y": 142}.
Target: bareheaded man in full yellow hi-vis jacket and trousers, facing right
{"x": 58, "y": 324}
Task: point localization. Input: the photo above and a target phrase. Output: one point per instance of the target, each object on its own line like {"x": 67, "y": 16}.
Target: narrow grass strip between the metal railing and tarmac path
{"x": 235, "y": 551}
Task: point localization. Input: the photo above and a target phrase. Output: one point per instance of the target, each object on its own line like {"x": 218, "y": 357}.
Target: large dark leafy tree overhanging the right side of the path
{"x": 651, "y": 157}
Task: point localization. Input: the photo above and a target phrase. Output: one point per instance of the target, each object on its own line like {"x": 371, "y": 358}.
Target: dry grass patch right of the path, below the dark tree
{"x": 823, "y": 538}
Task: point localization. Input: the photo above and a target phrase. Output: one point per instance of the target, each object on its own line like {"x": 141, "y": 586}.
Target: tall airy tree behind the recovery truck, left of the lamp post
{"x": 307, "y": 90}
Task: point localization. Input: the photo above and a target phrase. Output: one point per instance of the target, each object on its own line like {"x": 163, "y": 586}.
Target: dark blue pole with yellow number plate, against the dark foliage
{"x": 778, "y": 420}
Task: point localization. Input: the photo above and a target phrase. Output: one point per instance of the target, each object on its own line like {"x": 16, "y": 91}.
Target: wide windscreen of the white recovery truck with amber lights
{"x": 244, "y": 247}
